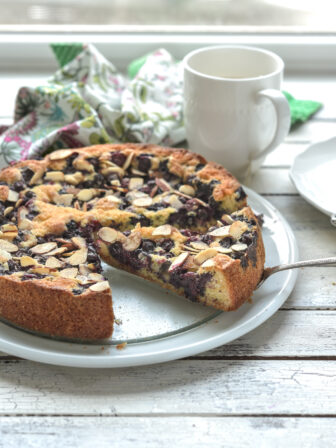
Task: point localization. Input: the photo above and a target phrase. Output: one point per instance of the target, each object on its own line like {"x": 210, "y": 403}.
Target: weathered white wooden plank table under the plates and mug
{"x": 274, "y": 387}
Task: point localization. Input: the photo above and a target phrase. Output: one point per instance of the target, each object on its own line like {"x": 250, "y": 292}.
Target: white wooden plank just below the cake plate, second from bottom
{"x": 185, "y": 387}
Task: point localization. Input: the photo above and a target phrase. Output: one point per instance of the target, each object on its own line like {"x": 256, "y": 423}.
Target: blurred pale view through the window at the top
{"x": 263, "y": 15}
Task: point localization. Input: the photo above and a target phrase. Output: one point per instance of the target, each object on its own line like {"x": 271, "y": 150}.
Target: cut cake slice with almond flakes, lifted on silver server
{"x": 219, "y": 268}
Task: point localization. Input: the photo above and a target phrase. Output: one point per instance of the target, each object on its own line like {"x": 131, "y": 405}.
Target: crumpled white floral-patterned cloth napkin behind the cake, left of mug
{"x": 88, "y": 102}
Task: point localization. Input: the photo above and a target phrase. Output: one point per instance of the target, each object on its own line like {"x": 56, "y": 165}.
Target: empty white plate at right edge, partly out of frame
{"x": 314, "y": 175}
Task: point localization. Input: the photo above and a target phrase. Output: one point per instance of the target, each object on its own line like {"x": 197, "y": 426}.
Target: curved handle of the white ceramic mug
{"x": 283, "y": 117}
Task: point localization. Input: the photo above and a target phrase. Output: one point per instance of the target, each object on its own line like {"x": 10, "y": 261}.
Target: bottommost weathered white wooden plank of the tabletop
{"x": 160, "y": 432}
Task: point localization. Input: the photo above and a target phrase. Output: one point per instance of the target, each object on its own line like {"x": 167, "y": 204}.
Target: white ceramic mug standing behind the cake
{"x": 234, "y": 111}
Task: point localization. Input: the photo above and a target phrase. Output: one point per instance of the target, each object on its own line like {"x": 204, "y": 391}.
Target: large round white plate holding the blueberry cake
{"x": 159, "y": 326}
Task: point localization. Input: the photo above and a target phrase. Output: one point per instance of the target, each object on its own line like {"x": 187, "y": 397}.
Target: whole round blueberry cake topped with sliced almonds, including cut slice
{"x": 164, "y": 214}
